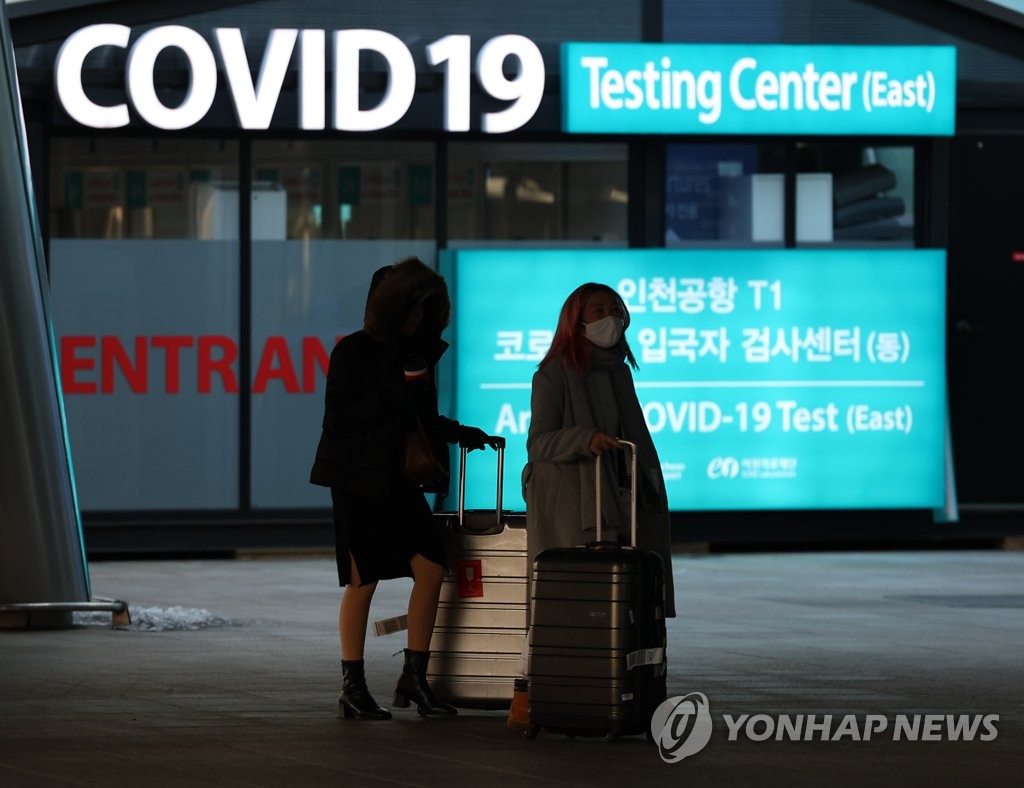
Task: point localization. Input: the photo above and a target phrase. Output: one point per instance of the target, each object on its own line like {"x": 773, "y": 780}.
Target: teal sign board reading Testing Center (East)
{"x": 758, "y": 90}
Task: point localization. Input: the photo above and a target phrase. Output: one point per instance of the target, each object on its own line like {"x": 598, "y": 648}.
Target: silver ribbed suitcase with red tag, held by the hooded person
{"x": 483, "y": 614}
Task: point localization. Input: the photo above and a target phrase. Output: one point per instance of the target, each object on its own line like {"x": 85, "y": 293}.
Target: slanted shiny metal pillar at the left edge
{"x": 42, "y": 557}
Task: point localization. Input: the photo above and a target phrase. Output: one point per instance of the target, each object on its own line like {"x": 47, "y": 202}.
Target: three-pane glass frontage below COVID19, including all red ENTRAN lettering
{"x": 150, "y": 282}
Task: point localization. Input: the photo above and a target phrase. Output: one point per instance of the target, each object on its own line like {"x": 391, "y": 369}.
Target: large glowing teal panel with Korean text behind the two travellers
{"x": 771, "y": 379}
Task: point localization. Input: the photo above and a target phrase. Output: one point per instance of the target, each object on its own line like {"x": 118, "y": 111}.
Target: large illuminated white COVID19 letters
{"x": 255, "y": 104}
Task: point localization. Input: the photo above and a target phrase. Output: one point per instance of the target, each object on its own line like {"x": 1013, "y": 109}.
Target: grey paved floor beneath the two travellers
{"x": 936, "y": 637}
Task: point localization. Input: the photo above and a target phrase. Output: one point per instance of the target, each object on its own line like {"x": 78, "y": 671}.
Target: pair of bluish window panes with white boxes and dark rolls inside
{"x": 734, "y": 195}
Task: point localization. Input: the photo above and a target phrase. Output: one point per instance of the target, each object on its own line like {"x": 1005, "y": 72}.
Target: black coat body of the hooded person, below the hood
{"x": 368, "y": 407}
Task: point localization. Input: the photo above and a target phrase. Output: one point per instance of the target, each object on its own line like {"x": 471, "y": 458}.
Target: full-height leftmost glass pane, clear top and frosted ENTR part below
{"x": 145, "y": 295}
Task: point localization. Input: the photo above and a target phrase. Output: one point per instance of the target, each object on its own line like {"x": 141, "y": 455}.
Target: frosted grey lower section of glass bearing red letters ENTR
{"x": 168, "y": 447}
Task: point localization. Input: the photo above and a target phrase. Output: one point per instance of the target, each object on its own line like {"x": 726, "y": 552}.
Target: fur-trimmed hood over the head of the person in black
{"x": 406, "y": 286}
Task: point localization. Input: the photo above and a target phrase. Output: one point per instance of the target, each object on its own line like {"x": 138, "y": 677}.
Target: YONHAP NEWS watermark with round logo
{"x": 682, "y": 726}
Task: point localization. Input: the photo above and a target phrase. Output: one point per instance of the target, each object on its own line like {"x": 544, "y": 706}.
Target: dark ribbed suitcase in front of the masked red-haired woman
{"x": 598, "y": 665}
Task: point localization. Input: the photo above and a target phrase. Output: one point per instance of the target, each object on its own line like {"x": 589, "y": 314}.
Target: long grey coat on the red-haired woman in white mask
{"x": 559, "y": 481}
